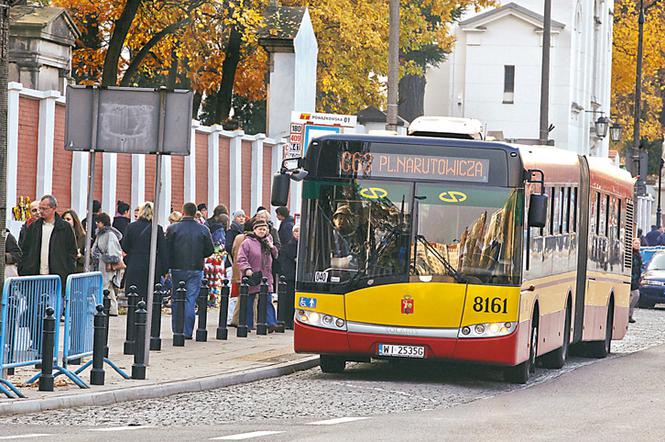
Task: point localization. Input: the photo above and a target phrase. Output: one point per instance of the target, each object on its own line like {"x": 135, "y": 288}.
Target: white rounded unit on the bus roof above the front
{"x": 447, "y": 127}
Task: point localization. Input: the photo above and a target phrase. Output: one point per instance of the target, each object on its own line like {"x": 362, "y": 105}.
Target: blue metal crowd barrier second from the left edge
{"x": 83, "y": 293}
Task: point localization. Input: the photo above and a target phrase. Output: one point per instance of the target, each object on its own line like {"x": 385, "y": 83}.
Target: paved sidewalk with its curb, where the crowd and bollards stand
{"x": 197, "y": 366}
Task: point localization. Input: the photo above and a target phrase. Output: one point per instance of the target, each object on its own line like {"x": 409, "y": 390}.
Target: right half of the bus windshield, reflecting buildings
{"x": 470, "y": 231}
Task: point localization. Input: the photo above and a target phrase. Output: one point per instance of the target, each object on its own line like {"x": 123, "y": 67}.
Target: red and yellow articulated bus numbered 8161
{"x": 485, "y": 252}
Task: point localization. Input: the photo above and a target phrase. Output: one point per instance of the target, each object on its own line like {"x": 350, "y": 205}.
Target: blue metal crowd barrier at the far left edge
{"x": 22, "y": 310}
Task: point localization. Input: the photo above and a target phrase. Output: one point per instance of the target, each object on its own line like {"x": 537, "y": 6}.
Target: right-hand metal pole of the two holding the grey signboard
{"x": 155, "y": 218}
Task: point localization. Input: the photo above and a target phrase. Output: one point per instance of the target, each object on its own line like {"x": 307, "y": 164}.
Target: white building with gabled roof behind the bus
{"x": 494, "y": 72}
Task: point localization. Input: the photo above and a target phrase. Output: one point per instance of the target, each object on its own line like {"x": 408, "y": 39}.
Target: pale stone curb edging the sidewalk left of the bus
{"x": 155, "y": 391}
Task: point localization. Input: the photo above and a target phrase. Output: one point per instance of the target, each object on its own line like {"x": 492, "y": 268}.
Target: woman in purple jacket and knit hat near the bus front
{"x": 255, "y": 255}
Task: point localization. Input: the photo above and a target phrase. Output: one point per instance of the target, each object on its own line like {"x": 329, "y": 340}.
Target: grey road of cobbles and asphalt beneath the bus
{"x": 616, "y": 398}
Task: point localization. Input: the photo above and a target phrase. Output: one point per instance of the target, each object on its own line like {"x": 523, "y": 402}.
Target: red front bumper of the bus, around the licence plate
{"x": 496, "y": 351}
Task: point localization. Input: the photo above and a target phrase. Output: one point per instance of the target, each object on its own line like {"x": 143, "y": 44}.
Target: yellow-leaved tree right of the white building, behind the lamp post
{"x": 624, "y": 63}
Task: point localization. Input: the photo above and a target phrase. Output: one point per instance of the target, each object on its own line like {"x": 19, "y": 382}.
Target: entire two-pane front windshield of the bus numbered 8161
{"x": 361, "y": 232}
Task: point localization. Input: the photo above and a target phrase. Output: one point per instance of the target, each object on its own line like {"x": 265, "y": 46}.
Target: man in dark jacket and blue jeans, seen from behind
{"x": 188, "y": 243}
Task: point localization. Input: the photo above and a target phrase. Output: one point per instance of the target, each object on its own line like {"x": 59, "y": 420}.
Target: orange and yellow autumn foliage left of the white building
{"x": 186, "y": 43}
